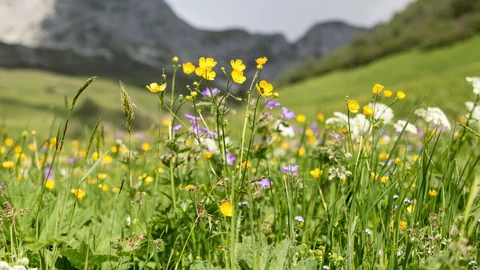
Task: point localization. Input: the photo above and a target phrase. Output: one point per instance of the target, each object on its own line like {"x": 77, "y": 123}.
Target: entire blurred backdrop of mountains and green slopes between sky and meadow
{"x": 48, "y": 48}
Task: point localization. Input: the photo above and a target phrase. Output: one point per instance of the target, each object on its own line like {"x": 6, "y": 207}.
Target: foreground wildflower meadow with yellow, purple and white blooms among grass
{"x": 237, "y": 181}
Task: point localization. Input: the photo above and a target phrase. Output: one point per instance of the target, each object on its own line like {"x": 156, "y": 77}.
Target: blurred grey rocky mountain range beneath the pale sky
{"x": 133, "y": 40}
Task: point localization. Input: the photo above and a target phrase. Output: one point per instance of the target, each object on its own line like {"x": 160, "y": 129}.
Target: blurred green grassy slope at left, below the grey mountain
{"x": 33, "y": 99}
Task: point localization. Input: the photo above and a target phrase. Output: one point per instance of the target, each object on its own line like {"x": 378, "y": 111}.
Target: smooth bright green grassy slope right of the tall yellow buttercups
{"x": 438, "y": 74}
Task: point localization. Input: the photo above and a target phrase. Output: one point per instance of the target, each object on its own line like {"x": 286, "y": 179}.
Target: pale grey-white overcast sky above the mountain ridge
{"x": 289, "y": 17}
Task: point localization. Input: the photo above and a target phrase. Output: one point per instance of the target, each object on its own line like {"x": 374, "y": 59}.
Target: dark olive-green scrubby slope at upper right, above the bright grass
{"x": 424, "y": 24}
